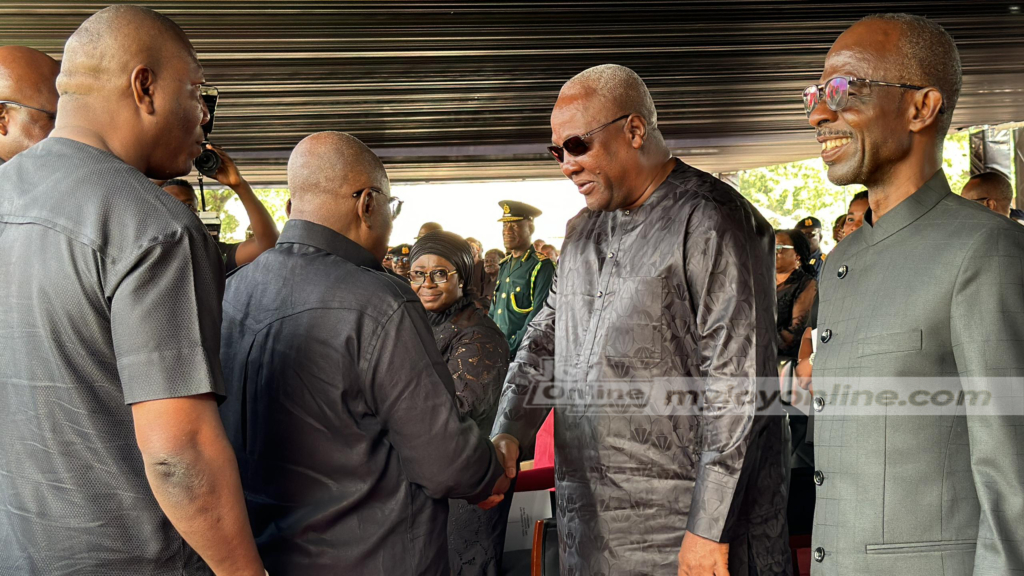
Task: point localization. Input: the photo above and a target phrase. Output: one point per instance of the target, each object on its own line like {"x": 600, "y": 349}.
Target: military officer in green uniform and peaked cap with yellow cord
{"x": 525, "y": 276}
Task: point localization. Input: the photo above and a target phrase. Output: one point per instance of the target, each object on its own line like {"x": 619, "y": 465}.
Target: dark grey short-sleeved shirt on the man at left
{"x": 112, "y": 296}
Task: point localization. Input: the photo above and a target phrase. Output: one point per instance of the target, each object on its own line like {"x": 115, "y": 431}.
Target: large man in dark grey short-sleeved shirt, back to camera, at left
{"x": 110, "y": 328}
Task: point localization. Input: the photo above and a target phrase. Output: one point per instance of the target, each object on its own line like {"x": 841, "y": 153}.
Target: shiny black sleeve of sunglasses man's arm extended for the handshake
{"x": 533, "y": 367}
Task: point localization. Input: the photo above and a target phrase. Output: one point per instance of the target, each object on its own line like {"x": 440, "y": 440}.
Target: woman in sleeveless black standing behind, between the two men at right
{"x": 795, "y": 290}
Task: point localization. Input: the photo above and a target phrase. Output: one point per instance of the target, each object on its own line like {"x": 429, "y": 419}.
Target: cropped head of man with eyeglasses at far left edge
{"x": 28, "y": 99}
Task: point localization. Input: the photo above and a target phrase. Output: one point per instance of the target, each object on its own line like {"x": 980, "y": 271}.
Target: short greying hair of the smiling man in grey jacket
{"x": 927, "y": 56}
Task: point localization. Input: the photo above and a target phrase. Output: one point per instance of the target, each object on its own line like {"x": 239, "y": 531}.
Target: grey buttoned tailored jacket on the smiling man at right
{"x": 930, "y": 298}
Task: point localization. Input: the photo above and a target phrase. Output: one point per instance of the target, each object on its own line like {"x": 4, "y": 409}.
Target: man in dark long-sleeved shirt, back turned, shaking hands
{"x": 339, "y": 405}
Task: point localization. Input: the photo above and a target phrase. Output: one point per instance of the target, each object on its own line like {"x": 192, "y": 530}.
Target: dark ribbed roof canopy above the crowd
{"x": 463, "y": 91}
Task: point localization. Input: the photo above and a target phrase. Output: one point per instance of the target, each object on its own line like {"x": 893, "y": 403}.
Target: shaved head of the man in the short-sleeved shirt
{"x": 131, "y": 84}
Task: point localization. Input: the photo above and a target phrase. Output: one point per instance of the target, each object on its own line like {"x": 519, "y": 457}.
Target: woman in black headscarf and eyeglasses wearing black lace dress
{"x": 477, "y": 353}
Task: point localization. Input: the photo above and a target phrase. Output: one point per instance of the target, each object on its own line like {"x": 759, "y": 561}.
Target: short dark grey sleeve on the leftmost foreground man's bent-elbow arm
{"x": 165, "y": 320}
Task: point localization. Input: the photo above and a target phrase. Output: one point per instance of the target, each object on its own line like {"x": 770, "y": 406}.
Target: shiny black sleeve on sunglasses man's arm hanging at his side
{"x": 724, "y": 264}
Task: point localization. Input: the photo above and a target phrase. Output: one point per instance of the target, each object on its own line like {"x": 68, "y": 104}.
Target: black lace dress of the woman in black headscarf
{"x": 478, "y": 356}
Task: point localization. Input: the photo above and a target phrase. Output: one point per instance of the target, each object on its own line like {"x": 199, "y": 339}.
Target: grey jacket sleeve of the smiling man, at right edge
{"x": 988, "y": 333}
